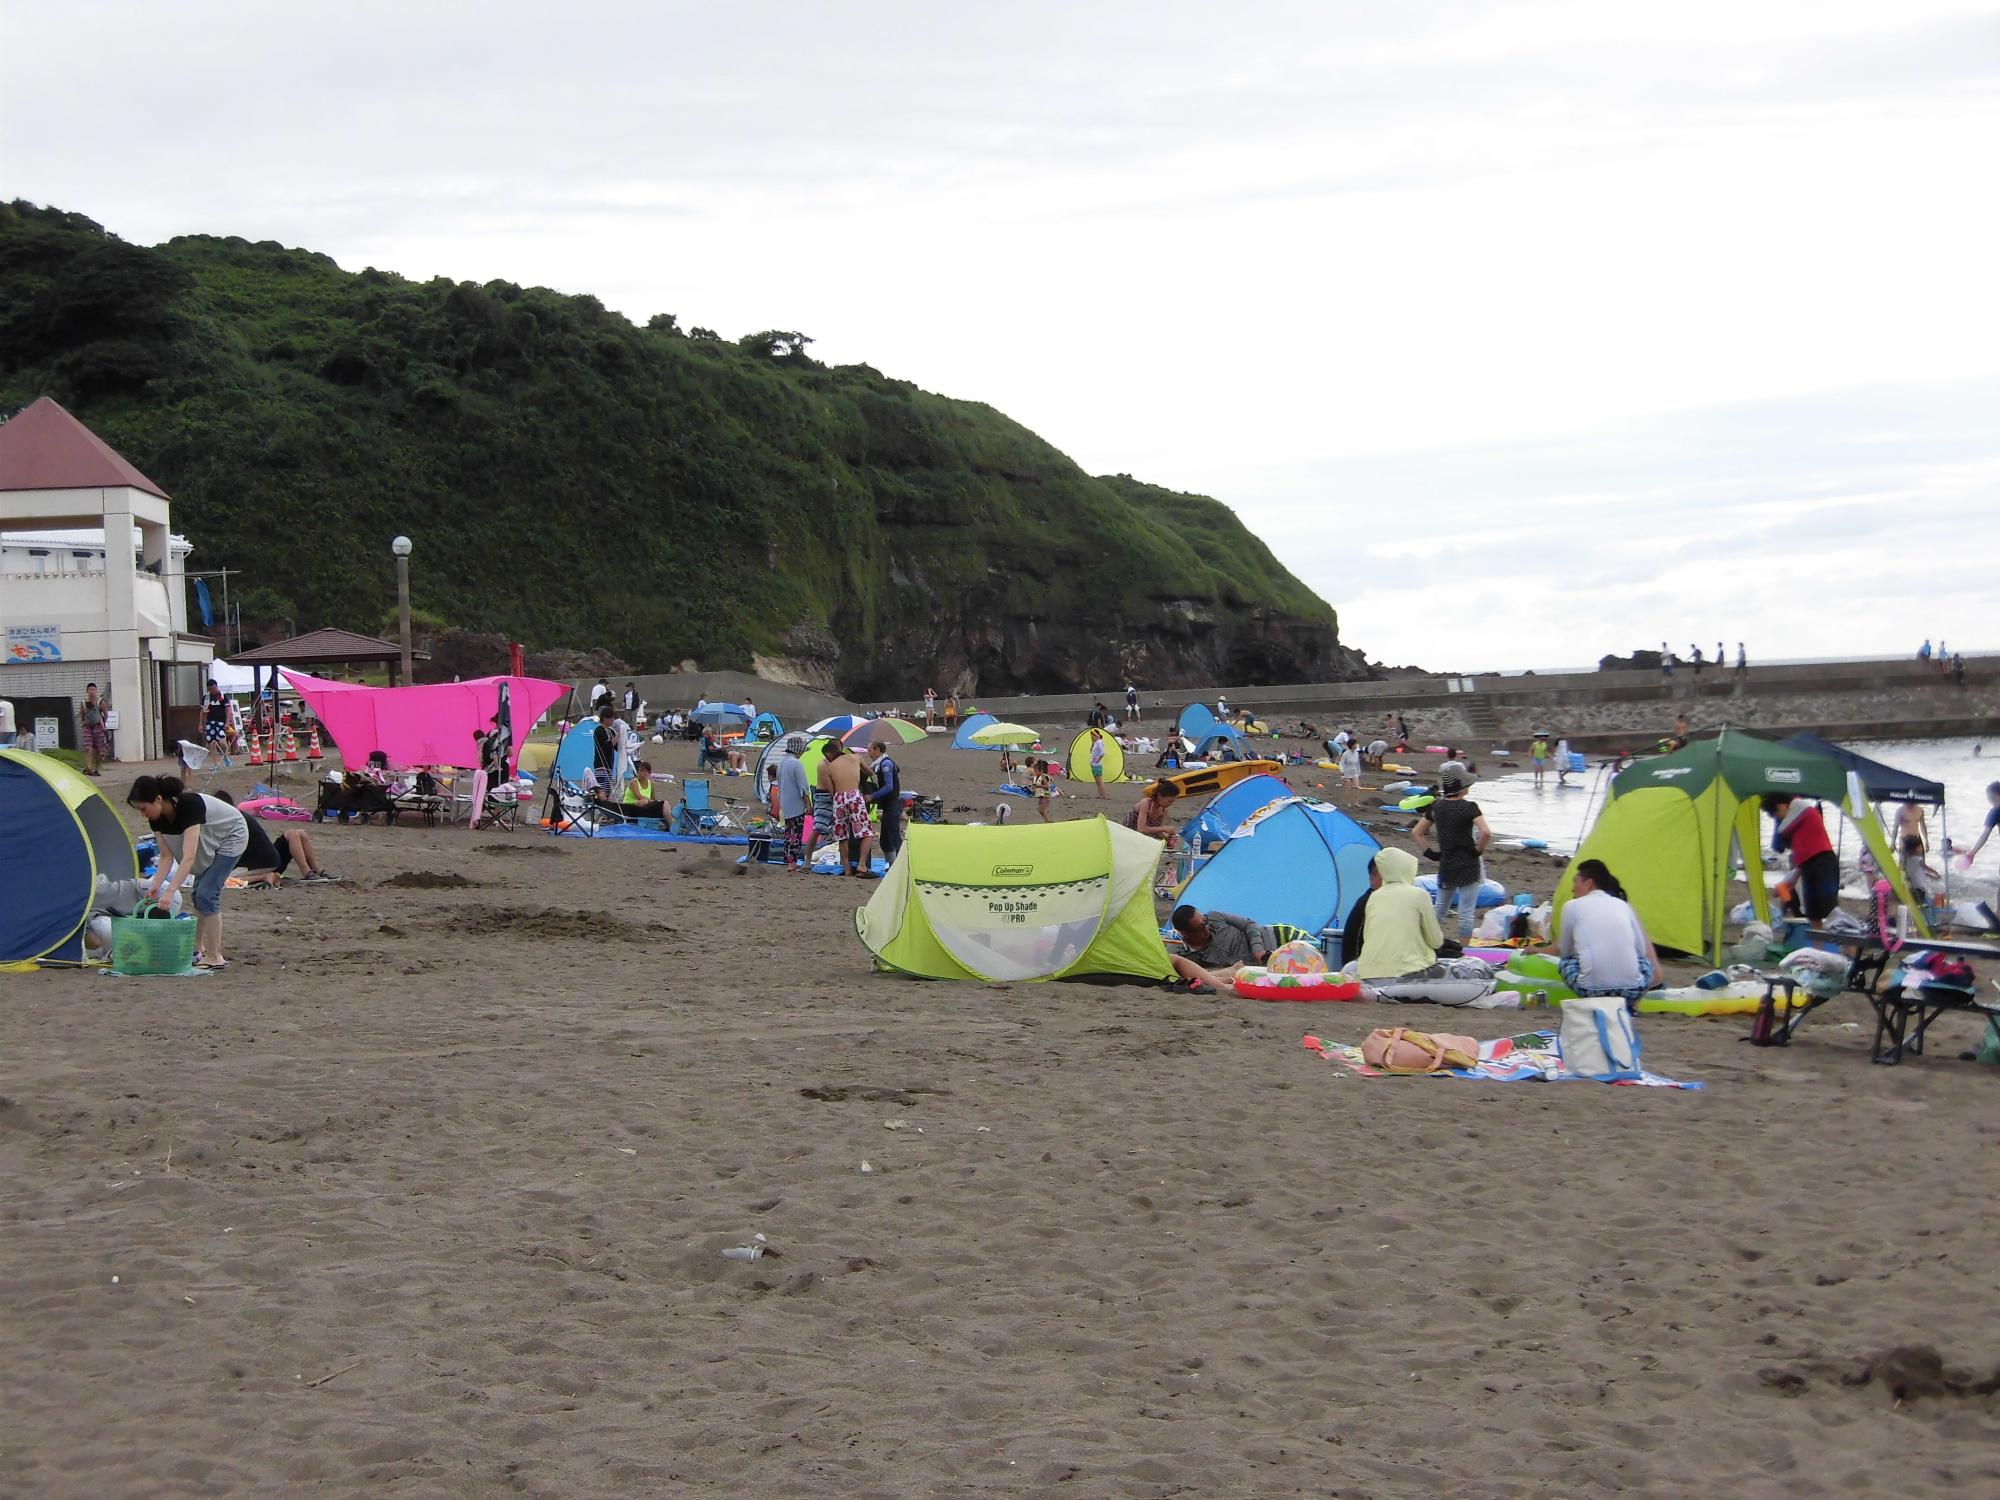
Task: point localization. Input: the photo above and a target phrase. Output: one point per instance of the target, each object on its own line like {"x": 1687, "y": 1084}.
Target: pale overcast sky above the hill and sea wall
{"x": 1521, "y": 331}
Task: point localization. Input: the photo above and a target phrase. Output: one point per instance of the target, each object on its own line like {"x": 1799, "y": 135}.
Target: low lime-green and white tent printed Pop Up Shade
{"x": 1019, "y": 903}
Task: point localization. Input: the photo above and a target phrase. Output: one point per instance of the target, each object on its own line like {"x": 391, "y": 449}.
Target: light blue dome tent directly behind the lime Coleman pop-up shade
{"x": 1297, "y": 863}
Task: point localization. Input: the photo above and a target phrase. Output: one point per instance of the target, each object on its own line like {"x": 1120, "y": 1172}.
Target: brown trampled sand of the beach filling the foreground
{"x": 427, "y": 1195}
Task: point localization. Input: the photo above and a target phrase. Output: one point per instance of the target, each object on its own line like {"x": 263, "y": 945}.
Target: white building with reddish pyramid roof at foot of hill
{"x": 93, "y": 589}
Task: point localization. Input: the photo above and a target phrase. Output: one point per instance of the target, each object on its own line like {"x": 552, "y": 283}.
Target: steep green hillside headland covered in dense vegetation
{"x": 573, "y": 479}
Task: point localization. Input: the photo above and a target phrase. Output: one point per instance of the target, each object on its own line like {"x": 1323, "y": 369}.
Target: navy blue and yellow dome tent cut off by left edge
{"x": 57, "y": 837}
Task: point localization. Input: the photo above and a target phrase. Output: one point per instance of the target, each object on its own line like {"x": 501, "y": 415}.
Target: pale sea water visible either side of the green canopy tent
{"x": 1561, "y": 817}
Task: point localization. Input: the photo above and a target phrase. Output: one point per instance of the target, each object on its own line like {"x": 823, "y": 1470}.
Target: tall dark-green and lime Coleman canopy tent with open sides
{"x": 1675, "y": 827}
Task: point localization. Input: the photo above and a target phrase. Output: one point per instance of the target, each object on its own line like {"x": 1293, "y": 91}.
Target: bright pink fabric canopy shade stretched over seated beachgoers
{"x": 429, "y": 725}
